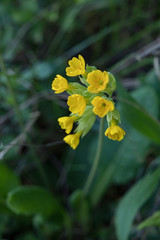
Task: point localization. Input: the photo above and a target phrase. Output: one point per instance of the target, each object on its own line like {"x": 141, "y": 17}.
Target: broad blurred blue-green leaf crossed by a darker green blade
{"x": 135, "y": 146}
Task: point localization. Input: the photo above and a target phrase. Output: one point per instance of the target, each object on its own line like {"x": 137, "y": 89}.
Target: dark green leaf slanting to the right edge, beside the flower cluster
{"x": 138, "y": 117}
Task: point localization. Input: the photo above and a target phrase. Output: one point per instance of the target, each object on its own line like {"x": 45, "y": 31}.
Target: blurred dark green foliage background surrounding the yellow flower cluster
{"x": 37, "y": 38}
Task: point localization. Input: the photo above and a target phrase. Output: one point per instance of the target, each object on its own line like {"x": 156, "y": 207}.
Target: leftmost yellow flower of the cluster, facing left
{"x": 60, "y": 84}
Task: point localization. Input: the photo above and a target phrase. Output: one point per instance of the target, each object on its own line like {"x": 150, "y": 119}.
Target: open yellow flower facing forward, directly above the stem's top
{"x": 102, "y": 106}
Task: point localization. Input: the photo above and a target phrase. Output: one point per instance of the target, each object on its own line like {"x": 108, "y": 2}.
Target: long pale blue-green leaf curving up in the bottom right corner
{"x": 133, "y": 201}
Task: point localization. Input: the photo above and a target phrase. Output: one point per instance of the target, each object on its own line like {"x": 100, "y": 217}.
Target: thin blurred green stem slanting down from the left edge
{"x": 21, "y": 122}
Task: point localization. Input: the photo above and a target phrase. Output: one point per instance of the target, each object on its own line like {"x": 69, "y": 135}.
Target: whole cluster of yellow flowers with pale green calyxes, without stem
{"x": 87, "y": 100}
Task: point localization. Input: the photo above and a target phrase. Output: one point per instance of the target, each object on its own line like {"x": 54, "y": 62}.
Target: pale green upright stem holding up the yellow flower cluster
{"x": 97, "y": 158}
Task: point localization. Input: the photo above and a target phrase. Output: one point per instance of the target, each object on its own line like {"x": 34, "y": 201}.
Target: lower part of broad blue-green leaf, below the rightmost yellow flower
{"x": 130, "y": 156}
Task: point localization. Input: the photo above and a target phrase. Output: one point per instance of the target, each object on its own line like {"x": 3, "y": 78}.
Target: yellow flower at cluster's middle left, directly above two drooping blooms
{"x": 77, "y": 104}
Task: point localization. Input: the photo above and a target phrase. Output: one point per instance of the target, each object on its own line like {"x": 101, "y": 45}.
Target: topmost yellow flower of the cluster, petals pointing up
{"x": 76, "y": 67}
